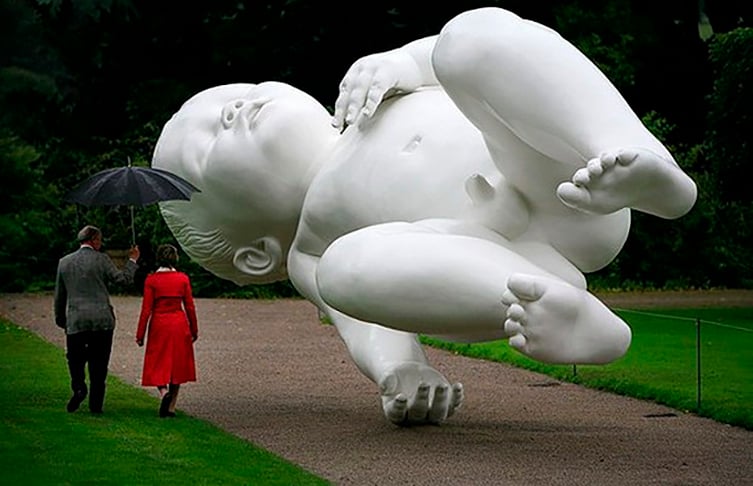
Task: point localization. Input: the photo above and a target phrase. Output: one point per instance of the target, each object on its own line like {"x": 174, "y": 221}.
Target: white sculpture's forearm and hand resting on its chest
{"x": 377, "y": 76}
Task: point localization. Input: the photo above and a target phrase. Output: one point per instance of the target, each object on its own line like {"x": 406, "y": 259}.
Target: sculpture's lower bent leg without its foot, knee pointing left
{"x": 408, "y": 277}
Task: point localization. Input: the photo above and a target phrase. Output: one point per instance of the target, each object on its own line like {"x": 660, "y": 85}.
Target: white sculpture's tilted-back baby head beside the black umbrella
{"x": 252, "y": 150}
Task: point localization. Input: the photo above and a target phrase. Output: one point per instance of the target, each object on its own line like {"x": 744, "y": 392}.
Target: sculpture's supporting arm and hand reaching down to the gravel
{"x": 411, "y": 391}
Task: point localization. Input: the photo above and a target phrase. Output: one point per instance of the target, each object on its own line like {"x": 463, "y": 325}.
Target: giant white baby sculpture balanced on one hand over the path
{"x": 481, "y": 173}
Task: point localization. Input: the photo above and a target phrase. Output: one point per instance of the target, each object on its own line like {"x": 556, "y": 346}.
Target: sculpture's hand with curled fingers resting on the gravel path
{"x": 414, "y": 393}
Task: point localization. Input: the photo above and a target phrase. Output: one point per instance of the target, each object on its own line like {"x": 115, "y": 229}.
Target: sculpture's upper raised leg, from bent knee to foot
{"x": 520, "y": 82}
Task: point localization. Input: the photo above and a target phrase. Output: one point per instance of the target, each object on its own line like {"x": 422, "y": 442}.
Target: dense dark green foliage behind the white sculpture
{"x": 86, "y": 85}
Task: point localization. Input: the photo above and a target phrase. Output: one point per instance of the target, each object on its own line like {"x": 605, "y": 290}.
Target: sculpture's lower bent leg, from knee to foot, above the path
{"x": 411, "y": 277}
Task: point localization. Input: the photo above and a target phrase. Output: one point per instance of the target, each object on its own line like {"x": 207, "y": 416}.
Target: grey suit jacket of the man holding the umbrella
{"x": 82, "y": 300}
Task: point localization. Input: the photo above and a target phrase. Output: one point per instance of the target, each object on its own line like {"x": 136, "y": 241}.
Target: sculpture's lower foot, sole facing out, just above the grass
{"x": 554, "y": 322}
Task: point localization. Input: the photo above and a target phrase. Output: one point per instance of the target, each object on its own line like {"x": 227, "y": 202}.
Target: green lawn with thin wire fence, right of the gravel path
{"x": 661, "y": 363}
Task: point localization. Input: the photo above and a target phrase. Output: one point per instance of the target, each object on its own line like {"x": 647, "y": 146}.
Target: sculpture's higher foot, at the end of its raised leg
{"x": 630, "y": 178}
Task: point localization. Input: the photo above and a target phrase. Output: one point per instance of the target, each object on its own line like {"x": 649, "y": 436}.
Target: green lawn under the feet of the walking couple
{"x": 42, "y": 444}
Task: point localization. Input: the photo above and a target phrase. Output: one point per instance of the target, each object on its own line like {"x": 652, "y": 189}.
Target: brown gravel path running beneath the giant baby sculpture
{"x": 270, "y": 373}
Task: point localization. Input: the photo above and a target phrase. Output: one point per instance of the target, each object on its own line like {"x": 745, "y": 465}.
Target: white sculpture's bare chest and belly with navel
{"x": 411, "y": 163}
